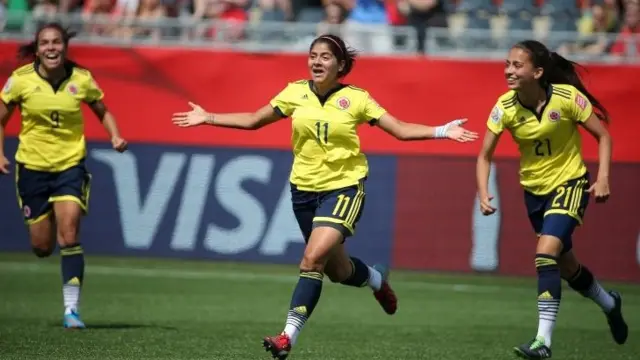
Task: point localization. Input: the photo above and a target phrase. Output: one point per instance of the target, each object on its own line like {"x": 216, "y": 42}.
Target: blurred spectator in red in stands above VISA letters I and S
{"x": 229, "y": 16}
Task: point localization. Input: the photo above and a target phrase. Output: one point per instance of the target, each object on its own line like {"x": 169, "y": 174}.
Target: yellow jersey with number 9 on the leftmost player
{"x": 51, "y": 138}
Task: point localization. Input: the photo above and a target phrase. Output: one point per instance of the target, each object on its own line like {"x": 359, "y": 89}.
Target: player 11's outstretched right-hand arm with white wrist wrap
{"x": 408, "y": 131}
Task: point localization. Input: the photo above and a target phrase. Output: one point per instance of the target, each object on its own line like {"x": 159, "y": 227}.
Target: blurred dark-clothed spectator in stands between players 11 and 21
{"x": 424, "y": 14}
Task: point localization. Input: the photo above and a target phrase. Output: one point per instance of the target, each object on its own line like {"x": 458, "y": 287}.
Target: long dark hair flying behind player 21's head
{"x": 558, "y": 70}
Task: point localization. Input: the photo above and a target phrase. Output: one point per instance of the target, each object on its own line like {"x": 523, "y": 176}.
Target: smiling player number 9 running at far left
{"x": 51, "y": 177}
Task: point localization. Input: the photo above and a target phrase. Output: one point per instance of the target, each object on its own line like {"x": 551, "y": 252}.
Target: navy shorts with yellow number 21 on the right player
{"x": 559, "y": 212}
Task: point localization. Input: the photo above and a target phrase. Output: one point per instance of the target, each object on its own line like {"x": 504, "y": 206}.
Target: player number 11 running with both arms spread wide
{"x": 328, "y": 173}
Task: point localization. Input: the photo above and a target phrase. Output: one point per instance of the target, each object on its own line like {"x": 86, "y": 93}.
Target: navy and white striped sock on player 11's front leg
{"x": 304, "y": 300}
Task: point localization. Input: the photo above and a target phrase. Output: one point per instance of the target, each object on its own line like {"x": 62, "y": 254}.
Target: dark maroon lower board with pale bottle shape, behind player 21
{"x": 438, "y": 225}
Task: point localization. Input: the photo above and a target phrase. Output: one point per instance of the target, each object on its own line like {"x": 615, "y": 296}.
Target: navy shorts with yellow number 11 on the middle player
{"x": 340, "y": 209}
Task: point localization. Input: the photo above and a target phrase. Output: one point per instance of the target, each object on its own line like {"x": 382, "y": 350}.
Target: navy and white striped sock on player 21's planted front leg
{"x": 549, "y": 295}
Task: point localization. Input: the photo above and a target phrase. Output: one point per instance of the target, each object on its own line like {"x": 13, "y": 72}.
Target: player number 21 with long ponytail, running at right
{"x": 542, "y": 110}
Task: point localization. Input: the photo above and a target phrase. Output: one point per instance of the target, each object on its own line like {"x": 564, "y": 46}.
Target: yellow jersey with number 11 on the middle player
{"x": 325, "y": 143}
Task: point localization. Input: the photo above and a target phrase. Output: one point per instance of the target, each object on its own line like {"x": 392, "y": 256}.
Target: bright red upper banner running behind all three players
{"x": 144, "y": 86}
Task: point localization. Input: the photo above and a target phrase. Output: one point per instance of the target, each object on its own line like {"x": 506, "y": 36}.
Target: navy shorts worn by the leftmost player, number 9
{"x": 38, "y": 190}
